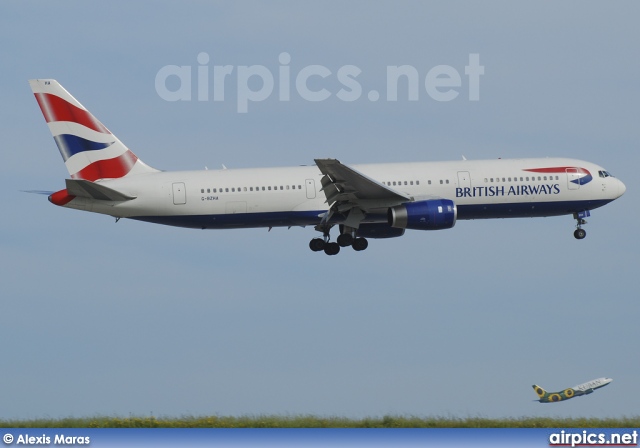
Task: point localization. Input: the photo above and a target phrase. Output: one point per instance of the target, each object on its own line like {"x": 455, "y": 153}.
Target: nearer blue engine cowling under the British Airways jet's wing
{"x": 434, "y": 214}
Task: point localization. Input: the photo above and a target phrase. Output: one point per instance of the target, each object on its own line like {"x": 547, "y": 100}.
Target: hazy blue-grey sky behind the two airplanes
{"x": 133, "y": 318}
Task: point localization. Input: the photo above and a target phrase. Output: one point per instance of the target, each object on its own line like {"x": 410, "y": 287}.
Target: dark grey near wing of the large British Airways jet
{"x": 347, "y": 188}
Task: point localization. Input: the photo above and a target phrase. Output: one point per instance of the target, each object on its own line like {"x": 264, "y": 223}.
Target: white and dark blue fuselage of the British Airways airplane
{"x": 292, "y": 196}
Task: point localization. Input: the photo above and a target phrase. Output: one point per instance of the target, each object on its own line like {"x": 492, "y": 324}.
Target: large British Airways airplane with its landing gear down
{"x": 365, "y": 201}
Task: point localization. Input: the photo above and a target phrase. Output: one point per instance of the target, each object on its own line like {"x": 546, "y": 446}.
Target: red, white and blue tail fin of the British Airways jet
{"x": 90, "y": 151}
